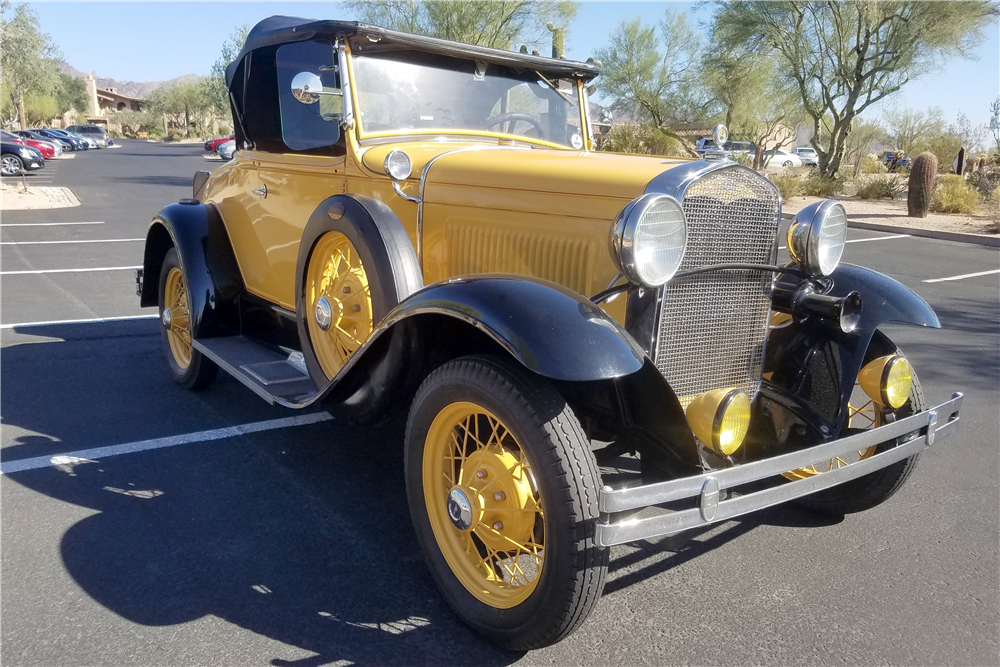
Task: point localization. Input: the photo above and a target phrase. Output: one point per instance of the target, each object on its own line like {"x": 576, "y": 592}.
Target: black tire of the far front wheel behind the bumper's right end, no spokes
{"x": 871, "y": 490}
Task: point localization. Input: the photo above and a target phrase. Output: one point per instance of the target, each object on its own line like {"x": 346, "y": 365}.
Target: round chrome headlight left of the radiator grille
{"x": 648, "y": 238}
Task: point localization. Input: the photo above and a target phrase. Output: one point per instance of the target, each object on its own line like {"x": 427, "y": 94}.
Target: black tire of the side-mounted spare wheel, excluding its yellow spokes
{"x": 386, "y": 253}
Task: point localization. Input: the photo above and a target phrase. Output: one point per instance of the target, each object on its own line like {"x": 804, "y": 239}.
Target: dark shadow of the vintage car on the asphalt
{"x": 301, "y": 535}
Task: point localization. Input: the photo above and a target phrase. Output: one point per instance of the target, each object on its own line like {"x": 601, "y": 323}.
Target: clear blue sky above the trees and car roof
{"x": 155, "y": 41}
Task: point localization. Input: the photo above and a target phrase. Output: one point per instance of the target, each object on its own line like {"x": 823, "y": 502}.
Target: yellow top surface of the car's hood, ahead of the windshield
{"x": 472, "y": 174}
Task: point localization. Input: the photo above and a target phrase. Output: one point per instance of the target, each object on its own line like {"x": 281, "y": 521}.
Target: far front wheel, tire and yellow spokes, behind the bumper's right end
{"x": 866, "y": 492}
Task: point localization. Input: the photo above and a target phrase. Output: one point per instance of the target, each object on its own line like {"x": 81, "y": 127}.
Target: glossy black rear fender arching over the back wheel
{"x": 207, "y": 260}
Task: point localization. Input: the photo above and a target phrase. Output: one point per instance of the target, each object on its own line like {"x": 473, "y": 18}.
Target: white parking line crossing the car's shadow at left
{"x": 90, "y": 455}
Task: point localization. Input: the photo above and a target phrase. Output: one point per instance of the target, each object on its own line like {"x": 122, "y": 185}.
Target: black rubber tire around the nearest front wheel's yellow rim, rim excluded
{"x": 566, "y": 476}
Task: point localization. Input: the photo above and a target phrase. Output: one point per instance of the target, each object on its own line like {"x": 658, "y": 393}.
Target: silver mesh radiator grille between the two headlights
{"x": 713, "y": 326}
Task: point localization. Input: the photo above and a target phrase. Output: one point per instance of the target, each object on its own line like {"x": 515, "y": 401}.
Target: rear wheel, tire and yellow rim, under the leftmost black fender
{"x": 187, "y": 366}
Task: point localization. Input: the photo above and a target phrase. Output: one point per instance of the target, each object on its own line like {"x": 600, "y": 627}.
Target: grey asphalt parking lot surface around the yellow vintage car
{"x": 289, "y": 543}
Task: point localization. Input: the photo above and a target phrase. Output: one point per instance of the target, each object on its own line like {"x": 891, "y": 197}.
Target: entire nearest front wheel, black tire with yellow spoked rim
{"x": 503, "y": 489}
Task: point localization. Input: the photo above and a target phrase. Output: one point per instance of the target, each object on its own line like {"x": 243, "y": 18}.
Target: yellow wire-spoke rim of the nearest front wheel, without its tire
{"x": 484, "y": 509}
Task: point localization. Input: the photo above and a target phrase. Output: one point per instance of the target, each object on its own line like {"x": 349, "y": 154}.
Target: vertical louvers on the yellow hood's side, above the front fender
{"x": 476, "y": 249}
